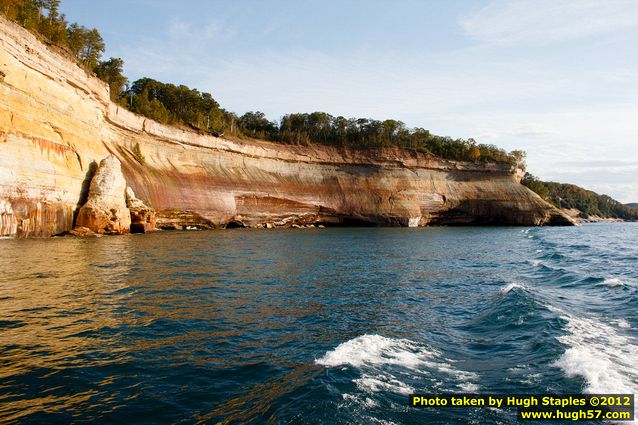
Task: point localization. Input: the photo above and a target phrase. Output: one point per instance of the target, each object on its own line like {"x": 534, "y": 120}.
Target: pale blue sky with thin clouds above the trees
{"x": 558, "y": 79}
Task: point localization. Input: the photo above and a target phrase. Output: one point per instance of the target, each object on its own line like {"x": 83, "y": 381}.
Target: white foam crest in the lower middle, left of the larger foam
{"x": 376, "y": 350}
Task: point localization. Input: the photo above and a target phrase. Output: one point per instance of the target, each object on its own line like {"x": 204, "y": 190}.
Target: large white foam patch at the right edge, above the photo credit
{"x": 596, "y": 351}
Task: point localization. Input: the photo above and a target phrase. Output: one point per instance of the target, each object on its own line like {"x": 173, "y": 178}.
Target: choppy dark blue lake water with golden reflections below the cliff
{"x": 312, "y": 326}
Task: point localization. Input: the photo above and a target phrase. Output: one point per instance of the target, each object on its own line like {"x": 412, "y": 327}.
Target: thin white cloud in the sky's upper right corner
{"x": 547, "y": 21}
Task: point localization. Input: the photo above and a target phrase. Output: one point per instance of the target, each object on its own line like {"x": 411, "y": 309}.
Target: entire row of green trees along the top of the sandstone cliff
{"x": 181, "y": 105}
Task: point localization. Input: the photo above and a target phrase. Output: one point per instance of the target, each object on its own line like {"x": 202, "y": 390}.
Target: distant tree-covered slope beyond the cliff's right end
{"x": 571, "y": 196}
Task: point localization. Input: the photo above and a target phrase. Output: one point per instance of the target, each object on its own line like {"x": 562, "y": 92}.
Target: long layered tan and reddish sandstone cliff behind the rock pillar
{"x": 57, "y": 122}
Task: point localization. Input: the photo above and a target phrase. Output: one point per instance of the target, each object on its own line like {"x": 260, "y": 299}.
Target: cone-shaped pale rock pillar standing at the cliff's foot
{"x": 106, "y": 210}
